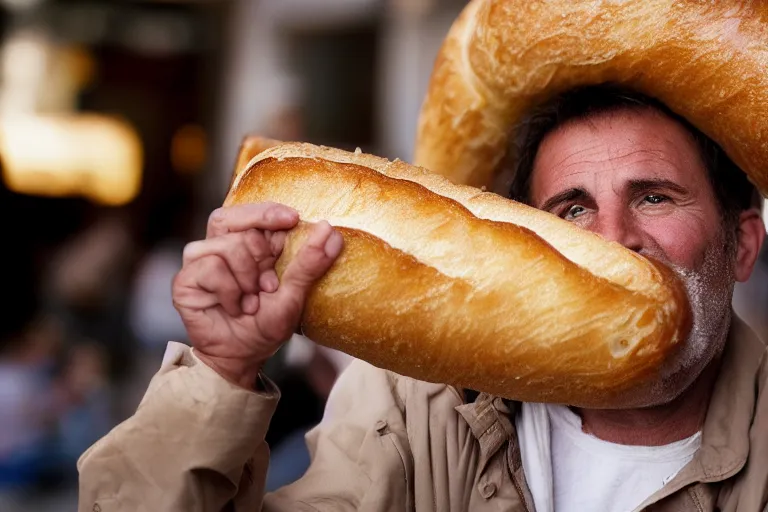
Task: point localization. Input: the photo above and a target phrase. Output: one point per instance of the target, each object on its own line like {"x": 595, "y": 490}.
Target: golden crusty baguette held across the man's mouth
{"x": 446, "y": 283}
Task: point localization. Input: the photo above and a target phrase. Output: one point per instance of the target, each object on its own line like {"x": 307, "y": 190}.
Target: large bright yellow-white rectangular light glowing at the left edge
{"x": 93, "y": 156}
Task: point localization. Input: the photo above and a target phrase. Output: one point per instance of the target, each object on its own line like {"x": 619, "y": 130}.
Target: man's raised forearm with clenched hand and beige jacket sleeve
{"x": 197, "y": 440}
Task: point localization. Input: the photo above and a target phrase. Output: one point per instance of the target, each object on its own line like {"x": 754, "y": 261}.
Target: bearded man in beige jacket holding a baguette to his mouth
{"x": 614, "y": 163}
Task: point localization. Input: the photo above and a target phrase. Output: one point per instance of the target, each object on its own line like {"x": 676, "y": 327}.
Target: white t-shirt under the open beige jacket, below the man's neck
{"x": 592, "y": 474}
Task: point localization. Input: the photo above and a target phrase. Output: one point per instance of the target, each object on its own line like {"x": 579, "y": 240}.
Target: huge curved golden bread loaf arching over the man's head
{"x": 706, "y": 60}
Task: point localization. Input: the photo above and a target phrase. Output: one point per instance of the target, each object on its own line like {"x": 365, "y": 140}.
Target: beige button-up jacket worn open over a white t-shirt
{"x": 387, "y": 442}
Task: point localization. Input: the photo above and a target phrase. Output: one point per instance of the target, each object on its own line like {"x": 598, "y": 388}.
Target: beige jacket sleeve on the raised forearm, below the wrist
{"x": 196, "y": 443}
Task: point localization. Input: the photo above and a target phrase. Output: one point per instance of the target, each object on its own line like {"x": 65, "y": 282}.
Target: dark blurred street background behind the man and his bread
{"x": 120, "y": 122}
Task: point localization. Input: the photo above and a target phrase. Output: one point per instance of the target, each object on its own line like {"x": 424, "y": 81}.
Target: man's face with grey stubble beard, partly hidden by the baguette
{"x": 637, "y": 178}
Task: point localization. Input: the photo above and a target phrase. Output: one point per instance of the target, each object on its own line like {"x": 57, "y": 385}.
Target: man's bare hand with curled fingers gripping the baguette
{"x": 236, "y": 312}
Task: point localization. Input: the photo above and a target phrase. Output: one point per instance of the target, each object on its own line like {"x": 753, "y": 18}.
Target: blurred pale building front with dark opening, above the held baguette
{"x": 347, "y": 73}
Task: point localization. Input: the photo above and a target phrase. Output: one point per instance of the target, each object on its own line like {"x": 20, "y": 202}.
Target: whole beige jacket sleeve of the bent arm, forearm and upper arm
{"x": 196, "y": 443}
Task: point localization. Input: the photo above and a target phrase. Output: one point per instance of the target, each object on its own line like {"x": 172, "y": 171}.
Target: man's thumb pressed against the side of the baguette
{"x": 312, "y": 261}
